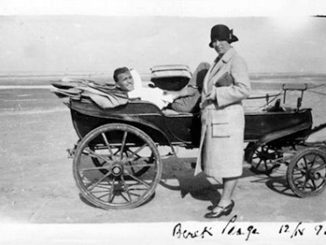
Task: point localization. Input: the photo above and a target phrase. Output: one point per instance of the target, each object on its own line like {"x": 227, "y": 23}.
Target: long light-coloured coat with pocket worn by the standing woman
{"x": 222, "y": 132}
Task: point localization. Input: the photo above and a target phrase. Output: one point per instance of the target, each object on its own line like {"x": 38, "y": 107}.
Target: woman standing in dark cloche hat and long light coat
{"x": 221, "y": 149}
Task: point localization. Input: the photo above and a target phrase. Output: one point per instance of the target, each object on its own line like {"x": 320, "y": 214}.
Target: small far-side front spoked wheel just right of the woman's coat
{"x": 263, "y": 158}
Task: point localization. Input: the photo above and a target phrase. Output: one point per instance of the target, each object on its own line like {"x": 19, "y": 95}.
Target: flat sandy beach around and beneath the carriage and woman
{"x": 37, "y": 185}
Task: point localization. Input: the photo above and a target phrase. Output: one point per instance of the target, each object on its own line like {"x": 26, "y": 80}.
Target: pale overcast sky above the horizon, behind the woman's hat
{"x": 48, "y": 38}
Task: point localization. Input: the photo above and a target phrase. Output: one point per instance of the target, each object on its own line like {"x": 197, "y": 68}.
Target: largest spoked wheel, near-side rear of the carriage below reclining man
{"x": 117, "y": 166}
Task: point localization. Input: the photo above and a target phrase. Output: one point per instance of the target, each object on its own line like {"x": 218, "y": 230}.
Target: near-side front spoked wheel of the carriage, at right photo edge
{"x": 306, "y": 173}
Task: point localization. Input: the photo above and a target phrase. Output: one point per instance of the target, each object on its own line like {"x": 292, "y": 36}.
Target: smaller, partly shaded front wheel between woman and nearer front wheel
{"x": 263, "y": 158}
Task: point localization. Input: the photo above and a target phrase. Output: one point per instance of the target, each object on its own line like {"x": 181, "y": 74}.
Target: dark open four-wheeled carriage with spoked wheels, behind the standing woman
{"x": 116, "y": 162}
